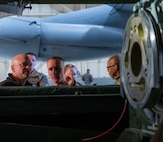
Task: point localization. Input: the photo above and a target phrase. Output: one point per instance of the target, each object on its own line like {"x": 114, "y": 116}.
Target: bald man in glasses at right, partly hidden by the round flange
{"x": 113, "y": 68}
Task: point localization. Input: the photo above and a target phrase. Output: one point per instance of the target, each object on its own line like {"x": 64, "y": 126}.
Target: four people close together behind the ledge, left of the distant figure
{"x": 23, "y": 72}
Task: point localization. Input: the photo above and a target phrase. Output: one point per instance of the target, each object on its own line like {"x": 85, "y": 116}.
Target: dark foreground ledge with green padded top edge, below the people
{"x": 61, "y": 114}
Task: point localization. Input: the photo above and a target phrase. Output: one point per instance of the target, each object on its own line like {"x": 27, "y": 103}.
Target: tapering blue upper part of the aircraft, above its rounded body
{"x": 114, "y": 15}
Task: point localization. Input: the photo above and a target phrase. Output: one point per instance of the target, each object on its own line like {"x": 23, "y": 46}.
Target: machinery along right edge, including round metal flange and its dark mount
{"x": 142, "y": 68}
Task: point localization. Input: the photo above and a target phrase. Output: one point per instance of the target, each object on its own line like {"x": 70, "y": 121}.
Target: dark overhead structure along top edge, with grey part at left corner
{"x": 16, "y": 7}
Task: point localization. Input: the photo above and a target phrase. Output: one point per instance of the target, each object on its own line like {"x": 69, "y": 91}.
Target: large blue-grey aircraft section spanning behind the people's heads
{"x": 84, "y": 34}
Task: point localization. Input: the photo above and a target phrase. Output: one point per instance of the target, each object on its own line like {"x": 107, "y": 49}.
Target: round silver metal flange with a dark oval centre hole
{"x": 140, "y": 76}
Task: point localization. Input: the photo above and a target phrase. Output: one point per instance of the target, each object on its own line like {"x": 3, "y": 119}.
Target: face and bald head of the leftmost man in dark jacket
{"x": 21, "y": 68}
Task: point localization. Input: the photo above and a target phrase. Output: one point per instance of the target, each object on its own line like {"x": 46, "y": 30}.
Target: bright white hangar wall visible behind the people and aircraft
{"x": 97, "y": 66}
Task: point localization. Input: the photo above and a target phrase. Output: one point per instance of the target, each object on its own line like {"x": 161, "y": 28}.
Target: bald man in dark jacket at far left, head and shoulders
{"x": 20, "y": 71}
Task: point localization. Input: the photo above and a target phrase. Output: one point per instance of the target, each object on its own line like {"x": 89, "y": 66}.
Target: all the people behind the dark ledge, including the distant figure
{"x": 23, "y": 72}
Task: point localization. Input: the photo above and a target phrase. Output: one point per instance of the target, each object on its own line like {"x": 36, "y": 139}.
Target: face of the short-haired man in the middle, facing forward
{"x": 55, "y": 70}
